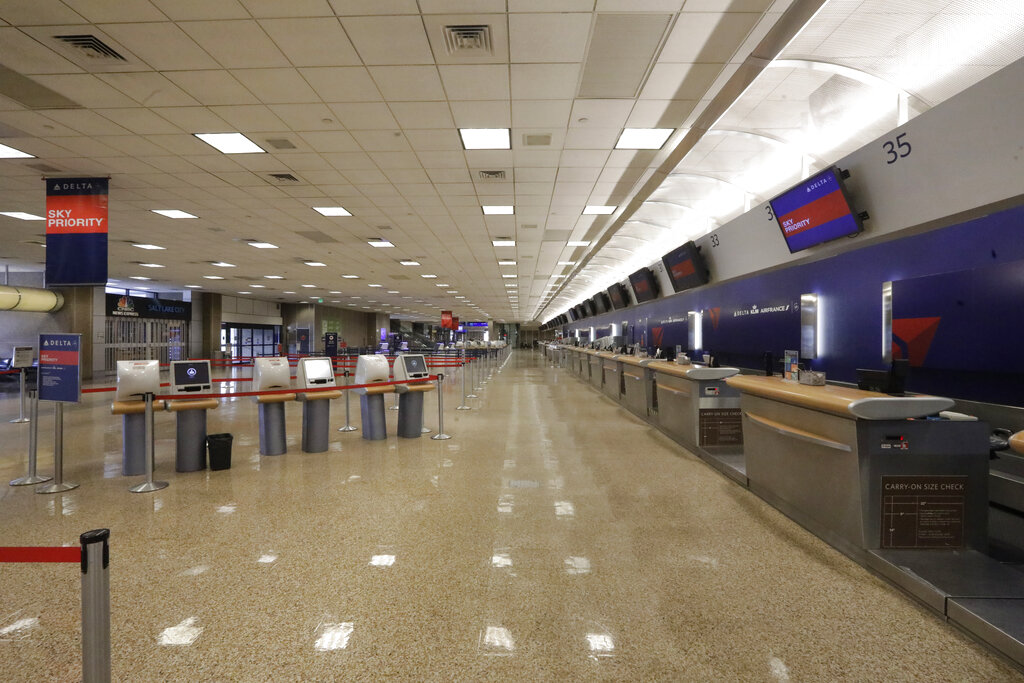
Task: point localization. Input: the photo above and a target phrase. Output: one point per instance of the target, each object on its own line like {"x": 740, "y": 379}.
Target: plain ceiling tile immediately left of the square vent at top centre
{"x": 390, "y": 40}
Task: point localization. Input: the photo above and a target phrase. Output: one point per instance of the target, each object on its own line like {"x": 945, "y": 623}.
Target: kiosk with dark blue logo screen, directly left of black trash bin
{"x": 191, "y": 377}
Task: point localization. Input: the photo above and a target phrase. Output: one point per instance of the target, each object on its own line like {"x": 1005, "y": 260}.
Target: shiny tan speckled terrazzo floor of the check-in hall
{"x": 554, "y": 537}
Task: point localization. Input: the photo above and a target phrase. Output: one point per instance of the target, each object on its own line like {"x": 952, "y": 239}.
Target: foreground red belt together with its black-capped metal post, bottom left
{"x": 94, "y": 558}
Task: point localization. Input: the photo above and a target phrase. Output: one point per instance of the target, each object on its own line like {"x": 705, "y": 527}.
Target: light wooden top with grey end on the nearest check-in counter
{"x": 844, "y": 402}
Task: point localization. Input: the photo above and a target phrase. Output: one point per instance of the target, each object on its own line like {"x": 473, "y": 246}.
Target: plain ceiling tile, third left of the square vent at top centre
{"x": 235, "y": 45}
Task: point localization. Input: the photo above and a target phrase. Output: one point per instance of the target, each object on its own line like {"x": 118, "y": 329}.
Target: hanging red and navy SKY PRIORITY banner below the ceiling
{"x": 76, "y": 231}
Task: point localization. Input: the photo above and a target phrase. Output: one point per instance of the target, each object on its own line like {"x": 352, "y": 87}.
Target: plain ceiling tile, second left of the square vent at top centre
{"x": 304, "y": 41}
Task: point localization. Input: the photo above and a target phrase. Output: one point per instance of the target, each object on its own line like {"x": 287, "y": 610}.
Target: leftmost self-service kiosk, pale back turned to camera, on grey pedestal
{"x": 136, "y": 379}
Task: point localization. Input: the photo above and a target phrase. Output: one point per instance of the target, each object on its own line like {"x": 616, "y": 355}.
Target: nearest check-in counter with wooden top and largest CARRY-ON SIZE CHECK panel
{"x": 867, "y": 471}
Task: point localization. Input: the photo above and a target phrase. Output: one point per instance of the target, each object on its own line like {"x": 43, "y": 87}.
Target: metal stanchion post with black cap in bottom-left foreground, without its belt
{"x": 96, "y": 607}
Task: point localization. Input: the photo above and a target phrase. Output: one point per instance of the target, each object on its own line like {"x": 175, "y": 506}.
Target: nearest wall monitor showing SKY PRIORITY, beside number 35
{"x": 816, "y": 211}
